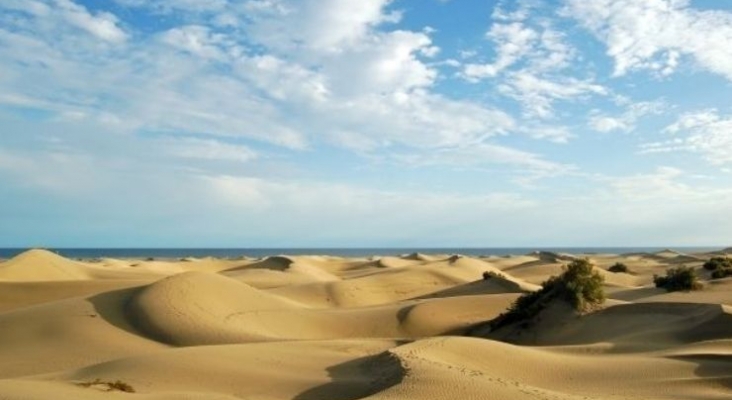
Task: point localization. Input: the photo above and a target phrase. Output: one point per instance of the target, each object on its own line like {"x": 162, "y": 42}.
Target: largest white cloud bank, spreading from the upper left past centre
{"x": 304, "y": 84}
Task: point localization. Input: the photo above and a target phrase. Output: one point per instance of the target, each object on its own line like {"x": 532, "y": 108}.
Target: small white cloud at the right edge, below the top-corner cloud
{"x": 705, "y": 132}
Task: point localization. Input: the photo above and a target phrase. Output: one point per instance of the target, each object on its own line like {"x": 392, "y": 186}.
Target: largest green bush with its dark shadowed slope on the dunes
{"x": 579, "y": 285}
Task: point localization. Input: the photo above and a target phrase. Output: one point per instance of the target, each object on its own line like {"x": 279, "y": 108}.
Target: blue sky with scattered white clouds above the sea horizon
{"x": 365, "y": 123}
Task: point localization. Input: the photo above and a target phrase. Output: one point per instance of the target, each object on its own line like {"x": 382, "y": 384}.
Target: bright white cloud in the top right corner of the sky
{"x": 655, "y": 34}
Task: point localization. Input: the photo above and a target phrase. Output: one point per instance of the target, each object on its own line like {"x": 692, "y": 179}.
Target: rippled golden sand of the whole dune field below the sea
{"x": 321, "y": 327}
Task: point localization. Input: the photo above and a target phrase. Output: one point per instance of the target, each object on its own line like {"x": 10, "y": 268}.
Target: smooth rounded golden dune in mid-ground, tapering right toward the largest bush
{"x": 204, "y": 308}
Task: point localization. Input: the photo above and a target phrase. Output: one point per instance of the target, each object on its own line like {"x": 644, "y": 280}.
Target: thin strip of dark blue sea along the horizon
{"x": 88, "y": 253}
